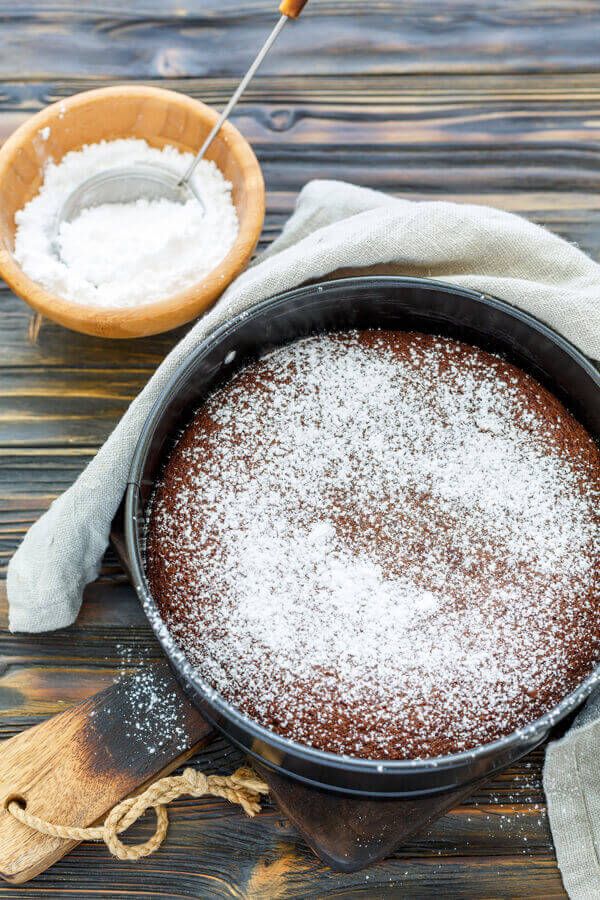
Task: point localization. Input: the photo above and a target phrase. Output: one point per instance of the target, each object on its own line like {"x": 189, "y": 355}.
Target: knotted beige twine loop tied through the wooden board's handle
{"x": 242, "y": 787}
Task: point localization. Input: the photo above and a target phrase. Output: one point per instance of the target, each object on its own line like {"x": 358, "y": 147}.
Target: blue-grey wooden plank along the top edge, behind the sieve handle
{"x": 196, "y": 38}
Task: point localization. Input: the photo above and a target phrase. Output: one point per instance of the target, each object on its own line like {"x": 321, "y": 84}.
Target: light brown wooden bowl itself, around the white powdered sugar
{"x": 160, "y": 117}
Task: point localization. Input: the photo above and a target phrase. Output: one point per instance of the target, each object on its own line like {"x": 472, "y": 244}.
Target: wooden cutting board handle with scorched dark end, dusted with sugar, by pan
{"x": 73, "y": 768}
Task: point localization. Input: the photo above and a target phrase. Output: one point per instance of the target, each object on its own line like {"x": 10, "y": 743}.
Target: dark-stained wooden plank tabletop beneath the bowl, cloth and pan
{"x": 496, "y": 102}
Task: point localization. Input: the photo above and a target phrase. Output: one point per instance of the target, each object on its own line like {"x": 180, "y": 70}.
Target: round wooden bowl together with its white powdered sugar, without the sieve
{"x": 92, "y": 294}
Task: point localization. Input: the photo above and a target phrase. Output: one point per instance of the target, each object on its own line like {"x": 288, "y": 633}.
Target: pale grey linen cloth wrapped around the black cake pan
{"x": 336, "y": 228}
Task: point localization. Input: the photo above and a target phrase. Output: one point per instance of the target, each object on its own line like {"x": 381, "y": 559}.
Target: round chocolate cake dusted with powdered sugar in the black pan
{"x": 382, "y": 544}
